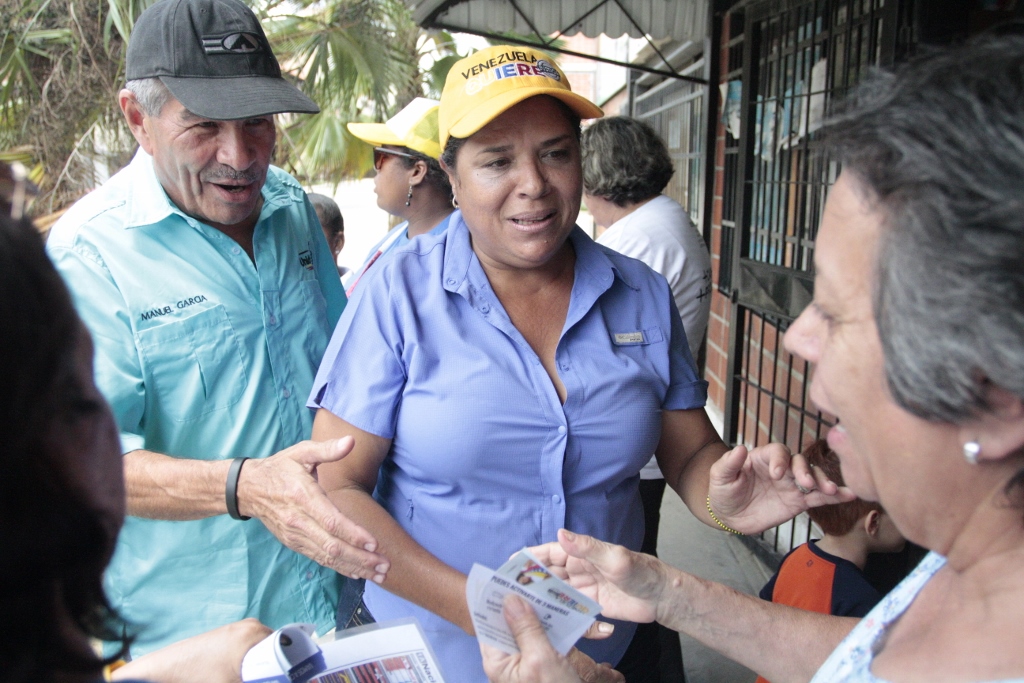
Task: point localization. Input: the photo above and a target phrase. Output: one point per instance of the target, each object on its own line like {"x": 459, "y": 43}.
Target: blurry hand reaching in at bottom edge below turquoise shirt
{"x": 215, "y": 657}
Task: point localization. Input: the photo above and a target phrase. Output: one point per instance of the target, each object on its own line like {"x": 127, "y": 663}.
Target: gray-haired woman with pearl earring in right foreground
{"x": 917, "y": 334}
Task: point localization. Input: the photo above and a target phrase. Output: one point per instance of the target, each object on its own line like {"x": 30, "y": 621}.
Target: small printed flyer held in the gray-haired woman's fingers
{"x": 566, "y": 613}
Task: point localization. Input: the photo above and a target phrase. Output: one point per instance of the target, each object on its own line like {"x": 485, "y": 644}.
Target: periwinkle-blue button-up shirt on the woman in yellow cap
{"x": 485, "y": 458}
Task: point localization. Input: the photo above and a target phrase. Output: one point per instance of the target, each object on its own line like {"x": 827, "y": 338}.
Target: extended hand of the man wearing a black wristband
{"x": 282, "y": 491}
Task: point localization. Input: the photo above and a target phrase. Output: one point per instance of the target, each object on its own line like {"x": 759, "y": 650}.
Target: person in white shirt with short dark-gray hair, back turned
{"x": 625, "y": 168}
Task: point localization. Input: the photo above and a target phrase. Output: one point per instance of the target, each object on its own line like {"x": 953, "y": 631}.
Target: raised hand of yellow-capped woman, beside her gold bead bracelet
{"x": 757, "y": 490}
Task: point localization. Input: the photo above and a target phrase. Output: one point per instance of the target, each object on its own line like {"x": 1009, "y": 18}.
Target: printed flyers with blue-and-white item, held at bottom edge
{"x": 389, "y": 653}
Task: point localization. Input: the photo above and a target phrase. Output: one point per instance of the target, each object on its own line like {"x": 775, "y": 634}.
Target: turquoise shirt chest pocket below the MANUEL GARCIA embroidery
{"x": 194, "y": 366}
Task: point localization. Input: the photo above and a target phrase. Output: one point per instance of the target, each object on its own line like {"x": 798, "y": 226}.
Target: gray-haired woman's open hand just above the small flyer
{"x": 629, "y": 586}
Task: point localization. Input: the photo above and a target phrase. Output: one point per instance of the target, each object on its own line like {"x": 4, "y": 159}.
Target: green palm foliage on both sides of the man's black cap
{"x": 62, "y": 65}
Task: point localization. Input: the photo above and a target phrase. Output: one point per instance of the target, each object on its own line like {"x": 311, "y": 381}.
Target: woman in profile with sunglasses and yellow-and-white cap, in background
{"x": 410, "y": 183}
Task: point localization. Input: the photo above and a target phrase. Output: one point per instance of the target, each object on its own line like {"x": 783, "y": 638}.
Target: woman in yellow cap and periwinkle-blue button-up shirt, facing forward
{"x": 511, "y": 377}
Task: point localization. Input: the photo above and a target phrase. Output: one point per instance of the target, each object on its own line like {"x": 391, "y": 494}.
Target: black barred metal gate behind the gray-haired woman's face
{"x": 797, "y": 57}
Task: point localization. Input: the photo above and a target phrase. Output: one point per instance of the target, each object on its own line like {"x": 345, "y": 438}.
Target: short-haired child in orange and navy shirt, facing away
{"x": 827, "y": 576}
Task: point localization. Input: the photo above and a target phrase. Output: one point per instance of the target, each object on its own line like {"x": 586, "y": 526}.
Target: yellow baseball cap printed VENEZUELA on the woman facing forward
{"x": 487, "y": 83}
